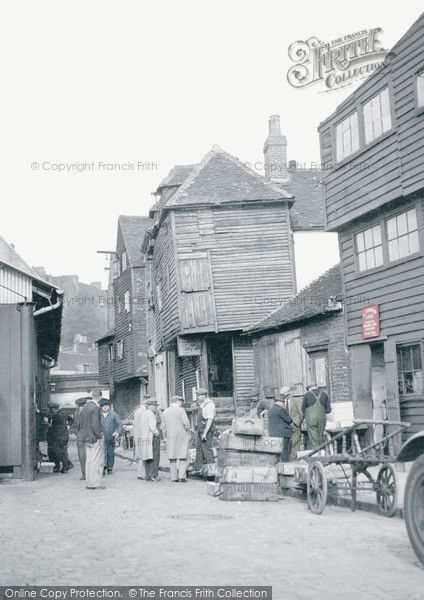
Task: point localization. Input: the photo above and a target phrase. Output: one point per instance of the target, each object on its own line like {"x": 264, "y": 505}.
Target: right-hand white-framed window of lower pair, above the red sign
{"x": 402, "y": 235}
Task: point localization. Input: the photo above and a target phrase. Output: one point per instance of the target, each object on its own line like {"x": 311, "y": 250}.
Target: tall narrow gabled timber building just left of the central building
{"x": 122, "y": 352}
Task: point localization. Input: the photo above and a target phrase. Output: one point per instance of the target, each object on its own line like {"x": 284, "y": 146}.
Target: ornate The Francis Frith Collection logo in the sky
{"x": 337, "y": 63}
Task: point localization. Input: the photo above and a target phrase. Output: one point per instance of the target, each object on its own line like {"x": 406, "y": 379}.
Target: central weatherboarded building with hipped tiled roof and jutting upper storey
{"x": 220, "y": 251}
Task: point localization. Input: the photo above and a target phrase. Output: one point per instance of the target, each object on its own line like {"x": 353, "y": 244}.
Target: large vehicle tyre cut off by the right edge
{"x": 414, "y": 507}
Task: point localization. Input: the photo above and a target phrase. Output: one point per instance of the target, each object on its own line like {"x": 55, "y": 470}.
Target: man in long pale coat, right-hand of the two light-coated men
{"x": 178, "y": 437}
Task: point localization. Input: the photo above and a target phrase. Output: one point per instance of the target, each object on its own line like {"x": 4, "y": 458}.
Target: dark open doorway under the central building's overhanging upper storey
{"x": 220, "y": 365}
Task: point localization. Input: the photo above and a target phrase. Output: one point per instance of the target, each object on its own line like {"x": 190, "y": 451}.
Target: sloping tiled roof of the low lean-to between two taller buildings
{"x": 310, "y": 302}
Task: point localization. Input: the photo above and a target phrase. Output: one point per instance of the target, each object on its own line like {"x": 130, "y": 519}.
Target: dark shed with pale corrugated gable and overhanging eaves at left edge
{"x": 30, "y": 326}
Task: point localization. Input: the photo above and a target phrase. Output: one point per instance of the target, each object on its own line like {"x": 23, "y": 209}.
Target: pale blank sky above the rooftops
{"x": 162, "y": 82}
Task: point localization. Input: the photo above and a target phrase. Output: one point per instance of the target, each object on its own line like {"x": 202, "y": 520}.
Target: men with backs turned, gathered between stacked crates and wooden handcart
{"x": 285, "y": 417}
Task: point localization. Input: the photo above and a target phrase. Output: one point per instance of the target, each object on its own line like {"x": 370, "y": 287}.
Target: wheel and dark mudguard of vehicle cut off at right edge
{"x": 413, "y": 449}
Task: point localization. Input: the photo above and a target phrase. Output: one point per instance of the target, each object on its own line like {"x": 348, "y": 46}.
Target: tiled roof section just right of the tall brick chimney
{"x": 308, "y": 211}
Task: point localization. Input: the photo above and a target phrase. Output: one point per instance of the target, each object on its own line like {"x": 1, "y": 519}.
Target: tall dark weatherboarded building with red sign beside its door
{"x": 373, "y": 151}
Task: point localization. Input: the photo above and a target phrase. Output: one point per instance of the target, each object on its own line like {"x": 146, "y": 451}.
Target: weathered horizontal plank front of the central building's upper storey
{"x": 250, "y": 259}
